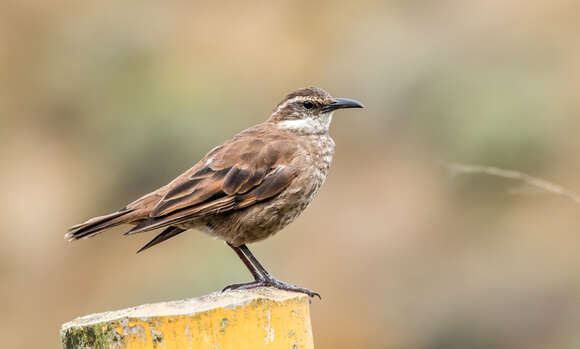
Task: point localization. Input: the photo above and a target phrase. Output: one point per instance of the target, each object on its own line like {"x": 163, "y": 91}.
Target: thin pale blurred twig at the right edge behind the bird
{"x": 458, "y": 169}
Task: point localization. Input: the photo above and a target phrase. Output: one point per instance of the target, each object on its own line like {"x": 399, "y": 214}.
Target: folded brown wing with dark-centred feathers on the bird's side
{"x": 238, "y": 174}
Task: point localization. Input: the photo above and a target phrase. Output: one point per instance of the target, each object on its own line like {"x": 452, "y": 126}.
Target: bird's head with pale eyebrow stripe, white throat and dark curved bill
{"x": 309, "y": 110}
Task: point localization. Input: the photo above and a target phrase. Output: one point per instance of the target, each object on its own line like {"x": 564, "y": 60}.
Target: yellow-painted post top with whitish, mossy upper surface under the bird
{"x": 258, "y": 318}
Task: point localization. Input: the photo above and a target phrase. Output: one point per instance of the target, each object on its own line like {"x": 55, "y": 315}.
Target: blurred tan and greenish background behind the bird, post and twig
{"x": 101, "y": 102}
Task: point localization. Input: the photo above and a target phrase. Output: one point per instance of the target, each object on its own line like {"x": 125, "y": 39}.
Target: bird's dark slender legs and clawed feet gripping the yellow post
{"x": 261, "y": 276}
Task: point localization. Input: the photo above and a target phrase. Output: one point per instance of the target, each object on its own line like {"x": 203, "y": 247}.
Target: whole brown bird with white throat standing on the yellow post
{"x": 246, "y": 189}
